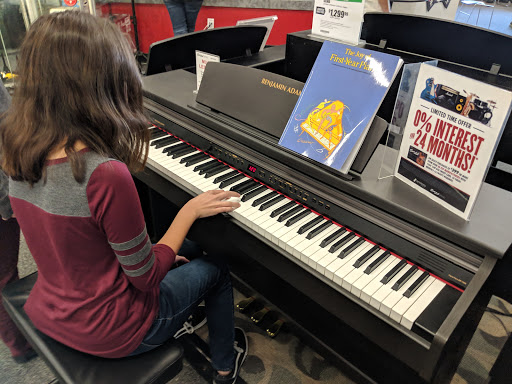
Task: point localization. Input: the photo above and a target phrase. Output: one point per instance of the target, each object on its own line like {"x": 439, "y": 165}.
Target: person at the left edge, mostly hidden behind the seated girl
{"x": 21, "y": 350}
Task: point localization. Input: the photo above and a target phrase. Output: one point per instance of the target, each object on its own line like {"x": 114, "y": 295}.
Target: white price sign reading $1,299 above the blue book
{"x": 338, "y": 19}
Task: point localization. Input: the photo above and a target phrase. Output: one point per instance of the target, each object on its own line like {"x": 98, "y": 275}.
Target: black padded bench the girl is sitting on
{"x": 73, "y": 367}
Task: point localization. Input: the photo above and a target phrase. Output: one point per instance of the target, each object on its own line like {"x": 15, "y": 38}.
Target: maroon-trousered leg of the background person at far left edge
{"x": 20, "y": 349}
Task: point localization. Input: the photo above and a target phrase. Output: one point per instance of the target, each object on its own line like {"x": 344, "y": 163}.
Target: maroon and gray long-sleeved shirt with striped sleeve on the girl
{"x": 98, "y": 274}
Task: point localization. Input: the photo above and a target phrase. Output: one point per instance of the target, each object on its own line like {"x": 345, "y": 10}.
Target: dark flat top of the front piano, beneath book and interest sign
{"x": 487, "y": 233}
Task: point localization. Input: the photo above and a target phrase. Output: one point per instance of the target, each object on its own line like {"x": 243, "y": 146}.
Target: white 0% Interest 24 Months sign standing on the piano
{"x": 452, "y": 131}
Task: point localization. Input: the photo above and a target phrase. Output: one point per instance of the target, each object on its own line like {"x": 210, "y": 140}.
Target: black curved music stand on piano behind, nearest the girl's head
{"x": 228, "y": 43}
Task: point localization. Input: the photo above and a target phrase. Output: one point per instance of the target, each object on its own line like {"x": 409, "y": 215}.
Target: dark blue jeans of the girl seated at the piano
{"x": 206, "y": 278}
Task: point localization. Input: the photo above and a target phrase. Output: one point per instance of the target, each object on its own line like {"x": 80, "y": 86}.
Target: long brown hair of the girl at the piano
{"x": 77, "y": 80}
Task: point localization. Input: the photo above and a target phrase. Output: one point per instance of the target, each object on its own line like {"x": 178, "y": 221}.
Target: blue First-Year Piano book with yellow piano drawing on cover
{"x": 338, "y": 103}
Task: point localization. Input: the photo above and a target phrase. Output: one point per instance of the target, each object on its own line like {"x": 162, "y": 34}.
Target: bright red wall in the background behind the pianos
{"x": 154, "y": 23}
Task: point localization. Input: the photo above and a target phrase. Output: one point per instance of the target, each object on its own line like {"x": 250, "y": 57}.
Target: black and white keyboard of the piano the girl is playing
{"x": 401, "y": 291}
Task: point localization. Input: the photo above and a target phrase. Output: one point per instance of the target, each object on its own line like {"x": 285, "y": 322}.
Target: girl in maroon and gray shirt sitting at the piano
{"x": 73, "y": 134}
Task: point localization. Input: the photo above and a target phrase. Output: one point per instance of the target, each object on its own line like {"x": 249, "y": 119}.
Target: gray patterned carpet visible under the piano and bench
{"x": 286, "y": 359}
